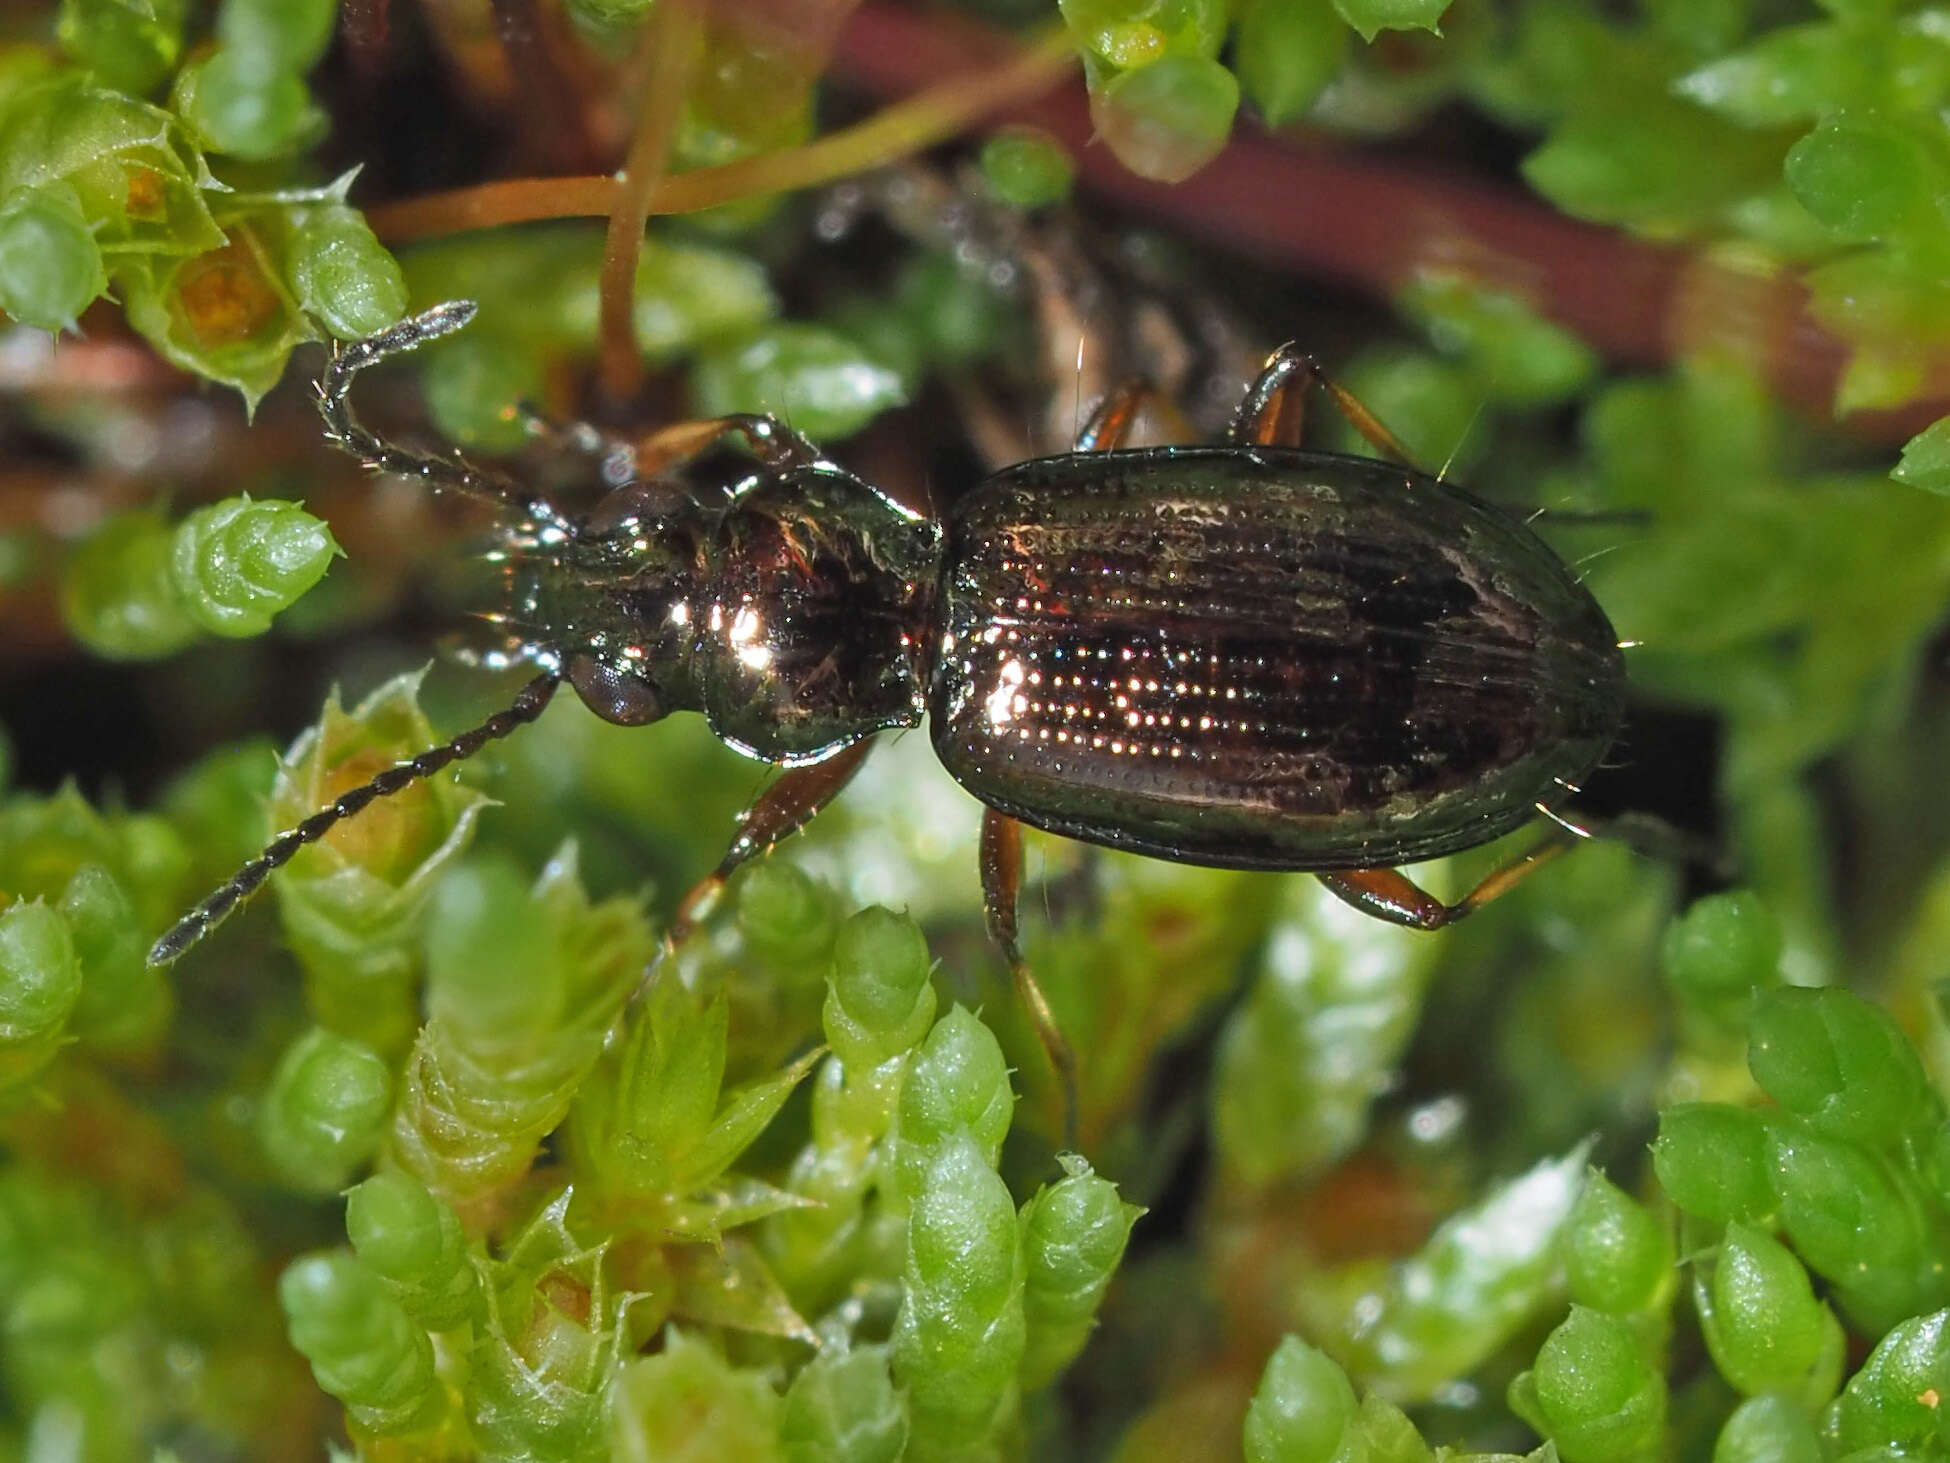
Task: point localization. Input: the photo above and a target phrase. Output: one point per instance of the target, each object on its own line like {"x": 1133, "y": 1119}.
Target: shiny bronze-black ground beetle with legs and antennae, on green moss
{"x": 1249, "y": 656}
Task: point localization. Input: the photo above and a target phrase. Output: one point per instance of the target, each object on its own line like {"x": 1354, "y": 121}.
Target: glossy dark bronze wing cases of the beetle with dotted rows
{"x": 1263, "y": 658}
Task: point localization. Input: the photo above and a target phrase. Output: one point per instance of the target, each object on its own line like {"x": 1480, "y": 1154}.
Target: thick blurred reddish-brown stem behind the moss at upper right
{"x": 1378, "y": 225}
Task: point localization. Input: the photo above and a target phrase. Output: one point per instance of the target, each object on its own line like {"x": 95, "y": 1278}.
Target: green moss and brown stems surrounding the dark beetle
{"x": 1647, "y": 1162}
